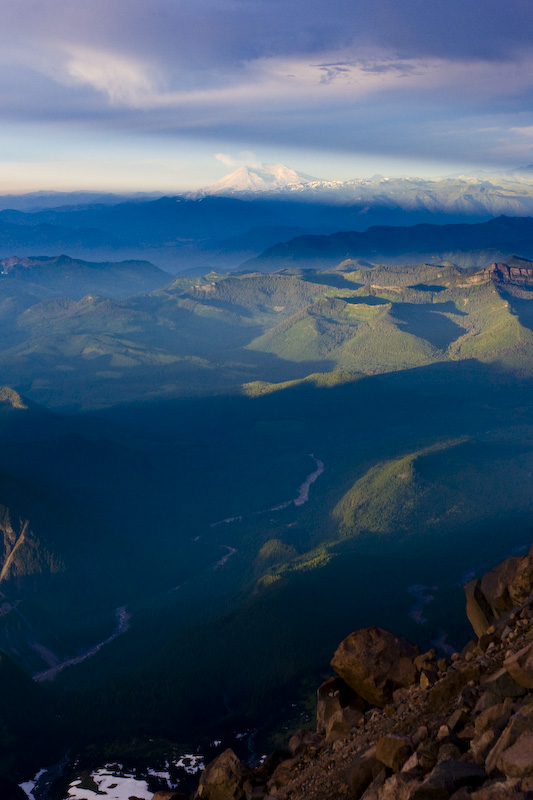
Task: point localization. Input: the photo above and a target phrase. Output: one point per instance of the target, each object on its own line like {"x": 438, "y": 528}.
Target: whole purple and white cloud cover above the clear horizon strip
{"x": 372, "y": 75}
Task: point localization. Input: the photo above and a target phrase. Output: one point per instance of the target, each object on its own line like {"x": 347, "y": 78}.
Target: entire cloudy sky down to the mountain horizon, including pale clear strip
{"x": 169, "y": 95}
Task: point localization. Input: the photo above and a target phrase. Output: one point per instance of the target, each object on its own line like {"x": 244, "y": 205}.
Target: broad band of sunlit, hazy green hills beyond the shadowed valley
{"x": 222, "y": 332}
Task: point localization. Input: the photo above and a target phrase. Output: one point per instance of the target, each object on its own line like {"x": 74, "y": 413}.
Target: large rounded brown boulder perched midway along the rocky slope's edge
{"x": 374, "y": 663}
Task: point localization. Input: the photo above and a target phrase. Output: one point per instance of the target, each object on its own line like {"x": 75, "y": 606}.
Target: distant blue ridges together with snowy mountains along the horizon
{"x": 249, "y": 211}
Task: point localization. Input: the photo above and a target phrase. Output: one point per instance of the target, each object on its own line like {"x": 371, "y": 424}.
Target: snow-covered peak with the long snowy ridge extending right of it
{"x": 480, "y": 194}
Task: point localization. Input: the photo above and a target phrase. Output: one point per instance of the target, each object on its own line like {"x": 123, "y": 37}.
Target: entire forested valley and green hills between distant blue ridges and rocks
{"x": 244, "y": 466}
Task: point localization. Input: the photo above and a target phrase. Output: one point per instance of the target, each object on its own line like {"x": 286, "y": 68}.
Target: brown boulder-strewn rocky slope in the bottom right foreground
{"x": 399, "y": 725}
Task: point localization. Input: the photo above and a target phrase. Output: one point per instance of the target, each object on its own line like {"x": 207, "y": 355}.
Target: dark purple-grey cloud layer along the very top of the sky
{"x": 210, "y": 34}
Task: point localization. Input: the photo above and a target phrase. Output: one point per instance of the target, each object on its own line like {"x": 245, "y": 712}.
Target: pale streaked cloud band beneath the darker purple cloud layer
{"x": 365, "y": 101}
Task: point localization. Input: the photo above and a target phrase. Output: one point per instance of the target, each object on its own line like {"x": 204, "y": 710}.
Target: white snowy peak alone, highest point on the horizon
{"x": 258, "y": 178}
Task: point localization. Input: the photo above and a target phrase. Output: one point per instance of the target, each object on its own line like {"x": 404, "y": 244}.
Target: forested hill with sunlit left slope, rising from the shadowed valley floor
{"x": 439, "y": 489}
